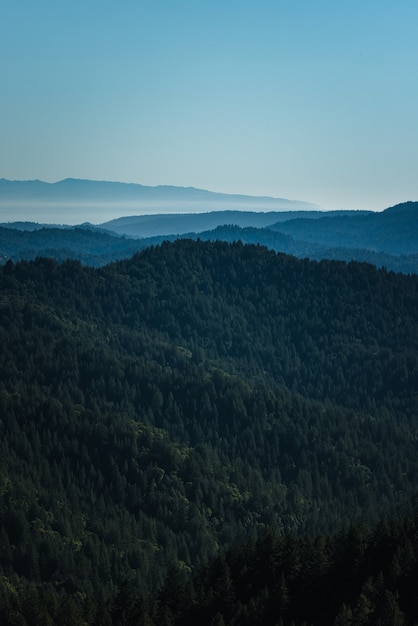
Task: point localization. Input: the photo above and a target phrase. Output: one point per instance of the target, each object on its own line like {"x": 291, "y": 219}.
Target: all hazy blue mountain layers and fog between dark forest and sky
{"x": 151, "y": 214}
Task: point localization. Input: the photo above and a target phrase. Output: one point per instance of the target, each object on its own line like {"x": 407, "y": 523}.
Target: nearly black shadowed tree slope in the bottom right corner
{"x": 359, "y": 577}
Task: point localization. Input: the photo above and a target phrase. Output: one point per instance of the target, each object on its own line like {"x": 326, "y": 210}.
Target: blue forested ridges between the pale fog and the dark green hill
{"x": 386, "y": 239}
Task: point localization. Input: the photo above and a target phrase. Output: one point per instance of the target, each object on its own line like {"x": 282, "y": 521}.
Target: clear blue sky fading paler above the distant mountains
{"x": 303, "y": 99}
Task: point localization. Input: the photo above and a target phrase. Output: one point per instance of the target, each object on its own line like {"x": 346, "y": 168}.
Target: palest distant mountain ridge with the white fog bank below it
{"x": 108, "y": 200}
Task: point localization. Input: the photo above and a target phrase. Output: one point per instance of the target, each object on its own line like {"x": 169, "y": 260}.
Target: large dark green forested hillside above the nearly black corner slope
{"x": 161, "y": 409}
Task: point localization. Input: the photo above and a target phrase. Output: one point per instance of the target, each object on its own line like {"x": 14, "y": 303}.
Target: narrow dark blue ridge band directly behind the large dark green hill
{"x": 96, "y": 248}
